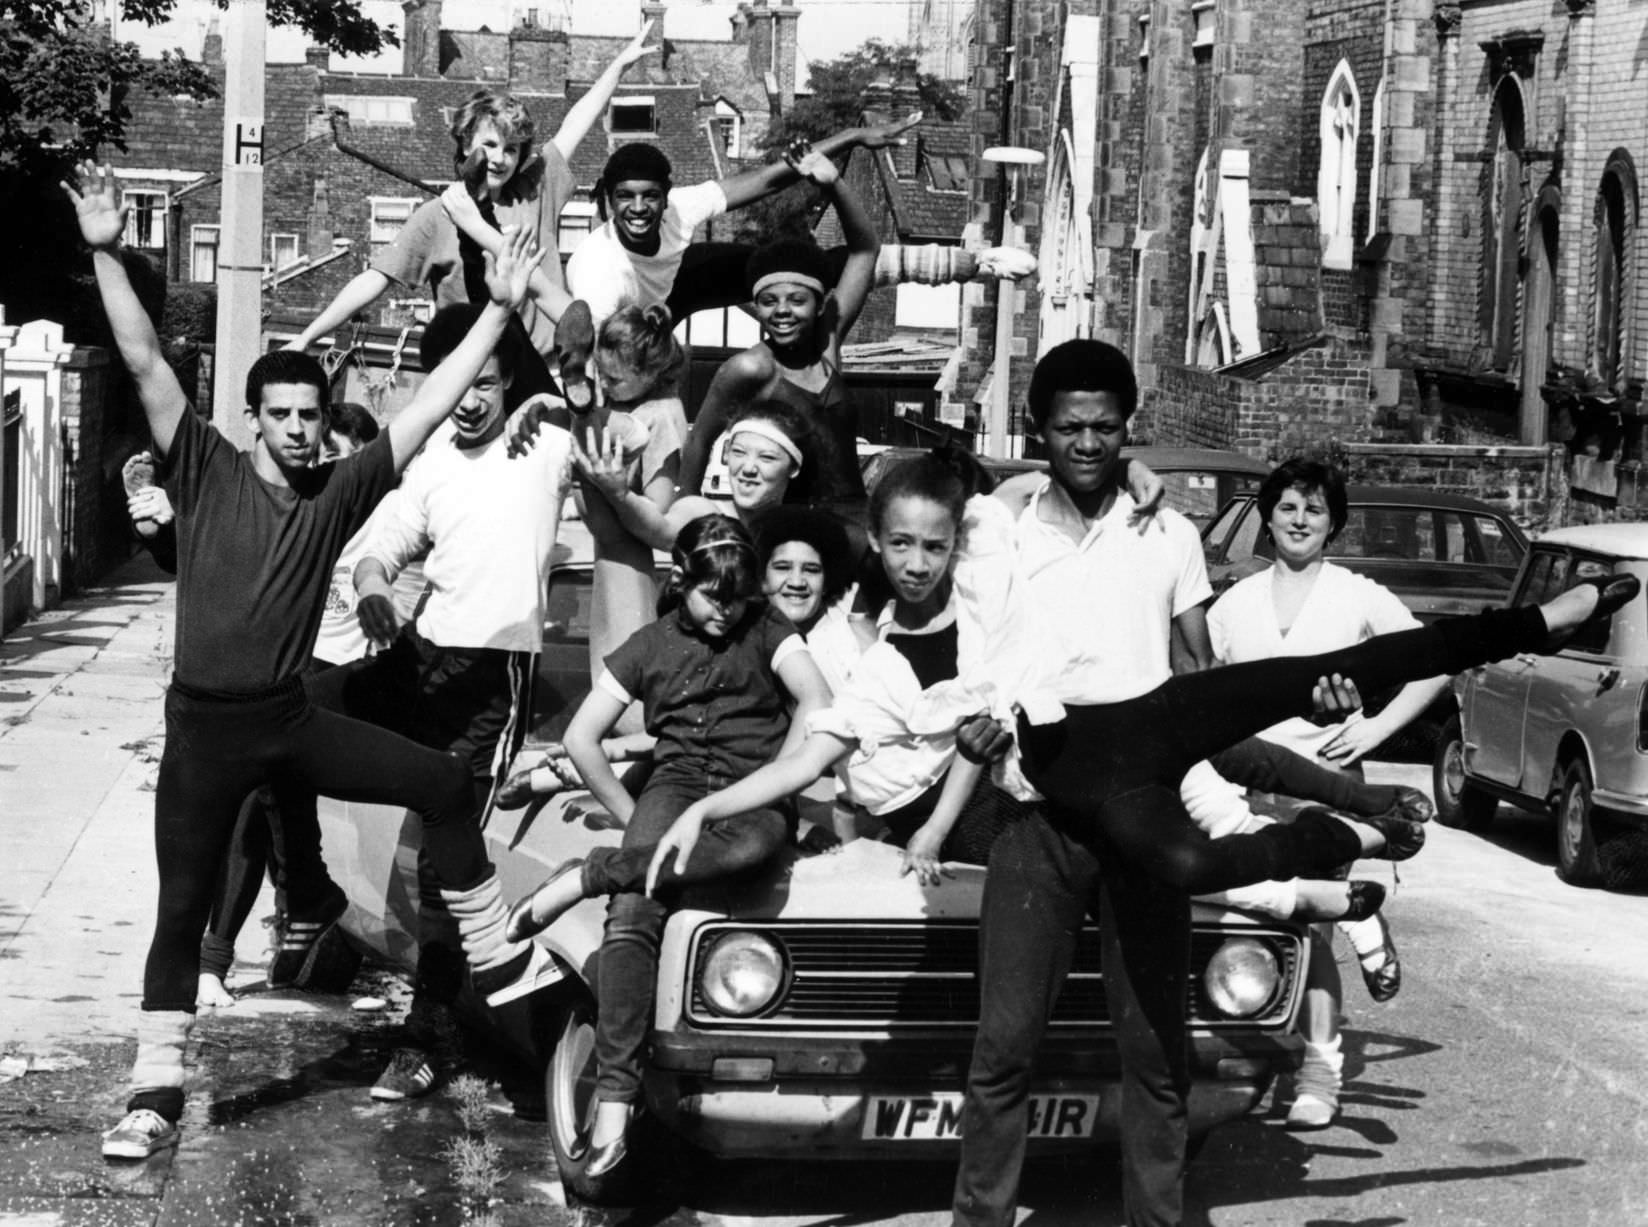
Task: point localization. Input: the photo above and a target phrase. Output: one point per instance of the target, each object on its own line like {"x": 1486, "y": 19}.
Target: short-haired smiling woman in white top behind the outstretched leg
{"x": 1304, "y": 605}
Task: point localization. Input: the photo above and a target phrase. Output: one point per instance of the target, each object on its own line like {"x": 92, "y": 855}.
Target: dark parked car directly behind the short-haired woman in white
{"x": 1441, "y": 554}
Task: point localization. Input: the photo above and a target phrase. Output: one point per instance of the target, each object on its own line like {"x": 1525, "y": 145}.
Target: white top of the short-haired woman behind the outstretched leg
{"x": 1342, "y": 610}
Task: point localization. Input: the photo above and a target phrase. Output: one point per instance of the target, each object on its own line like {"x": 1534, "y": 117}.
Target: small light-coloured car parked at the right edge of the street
{"x": 1566, "y": 734}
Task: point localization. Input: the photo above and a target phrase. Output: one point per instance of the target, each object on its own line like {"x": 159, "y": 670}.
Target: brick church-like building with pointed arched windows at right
{"x": 1370, "y": 222}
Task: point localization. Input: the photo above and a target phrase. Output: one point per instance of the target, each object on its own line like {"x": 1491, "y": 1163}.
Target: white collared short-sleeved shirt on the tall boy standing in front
{"x": 1105, "y": 609}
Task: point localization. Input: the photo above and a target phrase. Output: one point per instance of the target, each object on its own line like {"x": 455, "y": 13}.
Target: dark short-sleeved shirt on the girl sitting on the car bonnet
{"x": 713, "y": 704}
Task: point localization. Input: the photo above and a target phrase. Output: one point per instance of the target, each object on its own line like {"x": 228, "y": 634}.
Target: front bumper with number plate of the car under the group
{"x": 851, "y": 1116}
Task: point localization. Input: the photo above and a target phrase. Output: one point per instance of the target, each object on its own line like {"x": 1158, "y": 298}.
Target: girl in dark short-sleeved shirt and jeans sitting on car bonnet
{"x": 714, "y": 676}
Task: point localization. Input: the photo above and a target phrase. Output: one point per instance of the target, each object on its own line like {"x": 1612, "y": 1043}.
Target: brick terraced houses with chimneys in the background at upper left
{"x": 347, "y": 156}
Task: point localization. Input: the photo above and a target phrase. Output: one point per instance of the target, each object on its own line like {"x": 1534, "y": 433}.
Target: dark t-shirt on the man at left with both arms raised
{"x": 255, "y": 561}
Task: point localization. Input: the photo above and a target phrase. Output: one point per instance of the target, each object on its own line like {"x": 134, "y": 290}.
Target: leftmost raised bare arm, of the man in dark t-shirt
{"x": 103, "y": 222}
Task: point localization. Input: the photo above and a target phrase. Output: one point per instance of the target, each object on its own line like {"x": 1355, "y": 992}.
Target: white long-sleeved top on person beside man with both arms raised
{"x": 489, "y": 523}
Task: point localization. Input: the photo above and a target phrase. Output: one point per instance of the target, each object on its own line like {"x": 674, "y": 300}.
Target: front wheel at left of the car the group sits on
{"x": 569, "y": 1088}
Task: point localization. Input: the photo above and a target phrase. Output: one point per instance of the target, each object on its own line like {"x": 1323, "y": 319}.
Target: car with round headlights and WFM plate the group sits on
{"x": 825, "y": 1010}
